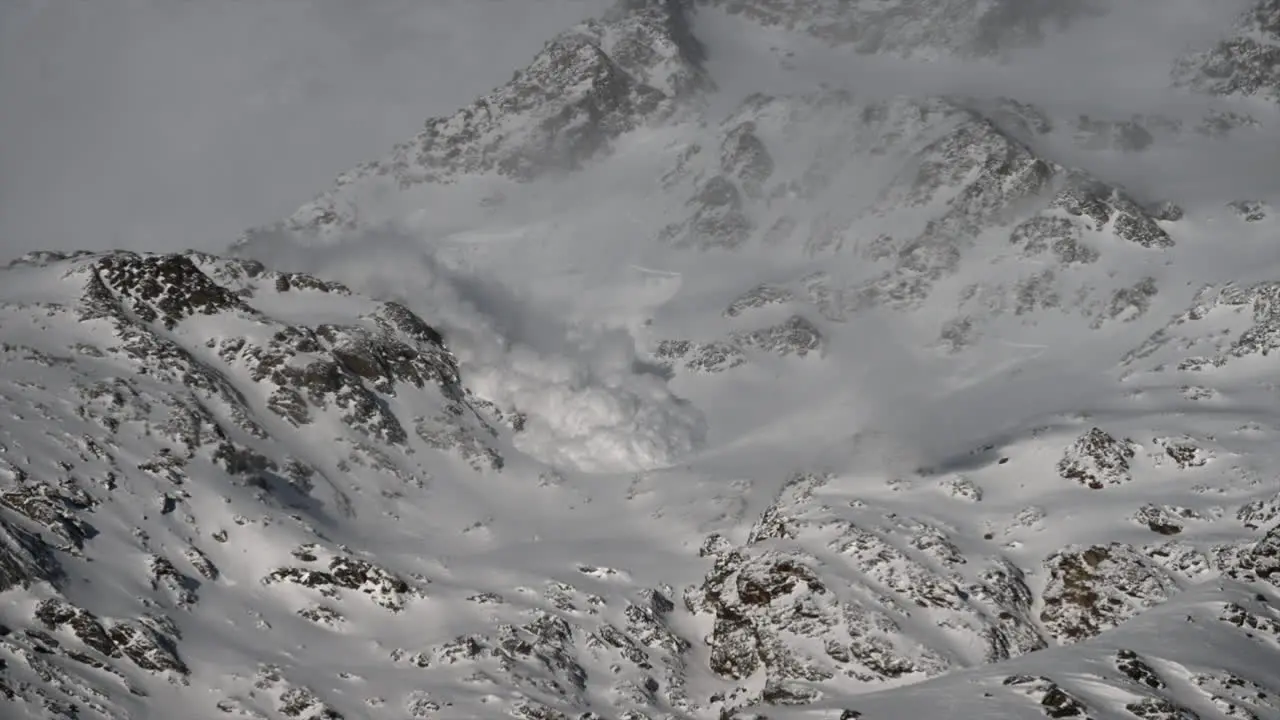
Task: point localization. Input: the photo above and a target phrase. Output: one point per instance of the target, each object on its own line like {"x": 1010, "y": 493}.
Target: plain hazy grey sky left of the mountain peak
{"x": 176, "y": 124}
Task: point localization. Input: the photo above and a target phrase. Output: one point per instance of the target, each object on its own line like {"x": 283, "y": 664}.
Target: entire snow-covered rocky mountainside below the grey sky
{"x": 627, "y": 394}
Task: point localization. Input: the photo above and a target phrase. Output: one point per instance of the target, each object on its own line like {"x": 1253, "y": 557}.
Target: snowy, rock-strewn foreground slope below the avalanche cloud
{"x": 170, "y": 409}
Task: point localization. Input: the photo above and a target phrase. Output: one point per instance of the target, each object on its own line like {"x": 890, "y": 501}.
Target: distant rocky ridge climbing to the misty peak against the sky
{"x": 587, "y": 88}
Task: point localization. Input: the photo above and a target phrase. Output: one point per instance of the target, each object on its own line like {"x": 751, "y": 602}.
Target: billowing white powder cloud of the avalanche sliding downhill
{"x": 589, "y": 404}
